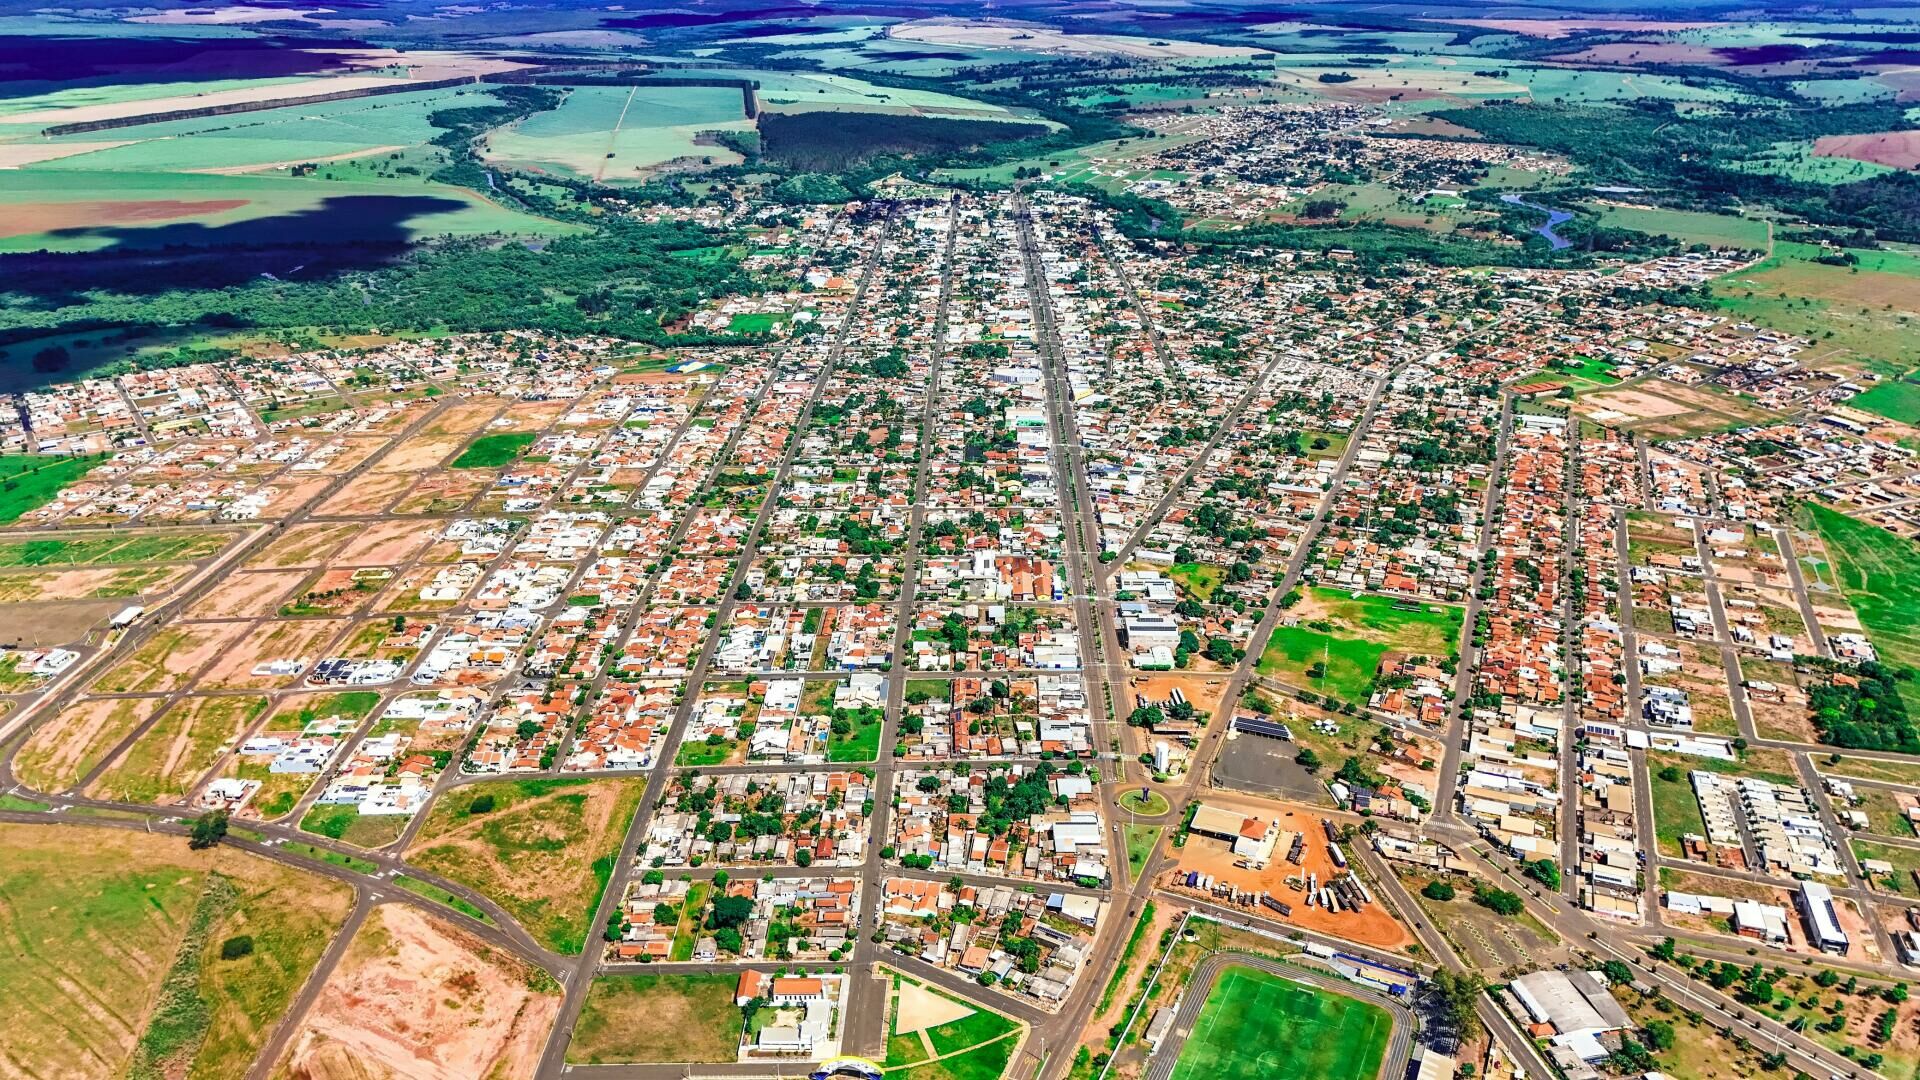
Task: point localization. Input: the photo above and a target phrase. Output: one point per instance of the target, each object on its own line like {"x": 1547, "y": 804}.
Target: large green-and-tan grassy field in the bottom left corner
{"x": 122, "y": 941}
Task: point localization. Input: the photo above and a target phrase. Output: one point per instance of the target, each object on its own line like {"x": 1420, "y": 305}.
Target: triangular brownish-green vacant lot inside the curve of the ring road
{"x": 544, "y": 852}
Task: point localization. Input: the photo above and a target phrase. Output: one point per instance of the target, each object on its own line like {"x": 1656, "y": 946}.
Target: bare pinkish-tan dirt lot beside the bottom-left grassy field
{"x": 416, "y": 996}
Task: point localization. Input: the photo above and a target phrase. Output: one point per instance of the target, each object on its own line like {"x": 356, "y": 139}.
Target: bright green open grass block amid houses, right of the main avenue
{"x": 1362, "y": 631}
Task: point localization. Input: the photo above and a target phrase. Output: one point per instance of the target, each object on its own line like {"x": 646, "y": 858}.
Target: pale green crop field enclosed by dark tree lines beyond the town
{"x": 621, "y": 134}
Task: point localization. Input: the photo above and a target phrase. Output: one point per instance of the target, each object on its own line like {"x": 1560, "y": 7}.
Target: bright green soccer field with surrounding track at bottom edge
{"x": 1262, "y": 1027}
